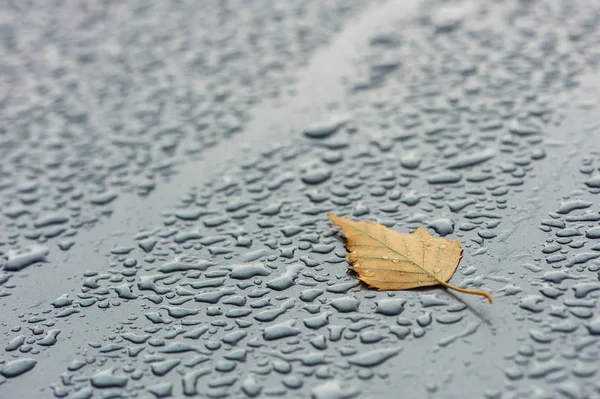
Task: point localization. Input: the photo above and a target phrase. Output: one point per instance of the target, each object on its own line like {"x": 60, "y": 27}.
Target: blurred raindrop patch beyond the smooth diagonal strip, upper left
{"x": 101, "y": 99}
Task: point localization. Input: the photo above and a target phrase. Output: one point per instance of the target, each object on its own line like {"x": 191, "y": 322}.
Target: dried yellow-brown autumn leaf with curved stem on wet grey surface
{"x": 388, "y": 260}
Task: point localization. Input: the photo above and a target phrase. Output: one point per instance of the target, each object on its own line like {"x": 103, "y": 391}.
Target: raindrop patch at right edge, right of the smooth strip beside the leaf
{"x": 562, "y": 350}
